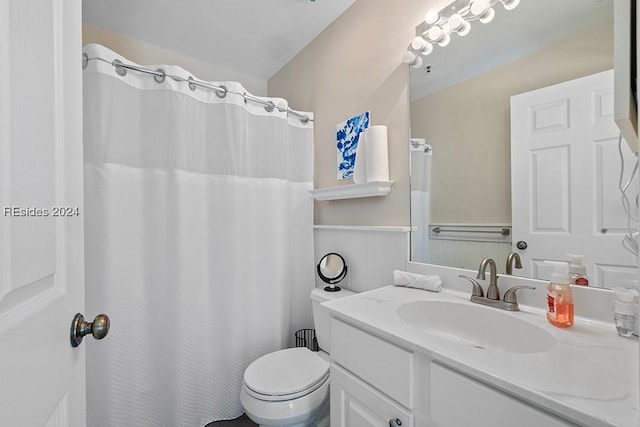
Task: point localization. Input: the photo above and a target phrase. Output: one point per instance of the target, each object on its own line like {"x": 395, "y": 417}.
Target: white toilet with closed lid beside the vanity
{"x": 291, "y": 387}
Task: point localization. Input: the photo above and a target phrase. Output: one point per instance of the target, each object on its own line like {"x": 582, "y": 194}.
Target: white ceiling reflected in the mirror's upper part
{"x": 511, "y": 35}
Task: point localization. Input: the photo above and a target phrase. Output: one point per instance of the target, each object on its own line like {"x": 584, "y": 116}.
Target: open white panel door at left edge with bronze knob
{"x": 41, "y": 247}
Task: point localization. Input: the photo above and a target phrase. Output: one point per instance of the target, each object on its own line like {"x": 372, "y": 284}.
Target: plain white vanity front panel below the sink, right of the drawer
{"x": 483, "y": 406}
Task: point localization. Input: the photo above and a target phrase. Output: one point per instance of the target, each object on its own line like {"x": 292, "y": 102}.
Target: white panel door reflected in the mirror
{"x": 565, "y": 170}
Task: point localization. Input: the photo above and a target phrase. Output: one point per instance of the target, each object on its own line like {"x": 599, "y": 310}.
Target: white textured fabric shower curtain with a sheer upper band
{"x": 199, "y": 247}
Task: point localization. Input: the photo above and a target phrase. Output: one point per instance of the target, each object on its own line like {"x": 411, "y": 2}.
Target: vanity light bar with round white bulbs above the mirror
{"x": 456, "y": 18}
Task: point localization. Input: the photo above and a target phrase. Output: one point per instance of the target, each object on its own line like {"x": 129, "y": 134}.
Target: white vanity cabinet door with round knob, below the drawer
{"x": 356, "y": 404}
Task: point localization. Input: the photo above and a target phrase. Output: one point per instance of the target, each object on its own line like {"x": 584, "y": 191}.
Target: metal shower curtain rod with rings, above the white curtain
{"x": 159, "y": 75}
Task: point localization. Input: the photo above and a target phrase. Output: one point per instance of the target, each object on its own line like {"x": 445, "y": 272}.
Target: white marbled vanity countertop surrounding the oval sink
{"x": 590, "y": 376}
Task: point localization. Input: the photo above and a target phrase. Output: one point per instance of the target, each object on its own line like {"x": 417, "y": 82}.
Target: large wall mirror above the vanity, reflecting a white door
{"x": 514, "y": 149}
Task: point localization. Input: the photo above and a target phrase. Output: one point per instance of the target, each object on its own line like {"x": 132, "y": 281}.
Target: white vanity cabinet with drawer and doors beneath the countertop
{"x": 377, "y": 383}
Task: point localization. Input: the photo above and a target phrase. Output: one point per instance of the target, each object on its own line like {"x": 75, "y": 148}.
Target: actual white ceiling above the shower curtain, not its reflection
{"x": 256, "y": 37}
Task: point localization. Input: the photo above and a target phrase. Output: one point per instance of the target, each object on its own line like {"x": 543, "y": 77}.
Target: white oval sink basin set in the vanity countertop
{"x": 478, "y": 326}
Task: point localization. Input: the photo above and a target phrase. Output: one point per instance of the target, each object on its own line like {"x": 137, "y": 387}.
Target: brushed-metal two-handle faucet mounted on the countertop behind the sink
{"x": 509, "y": 301}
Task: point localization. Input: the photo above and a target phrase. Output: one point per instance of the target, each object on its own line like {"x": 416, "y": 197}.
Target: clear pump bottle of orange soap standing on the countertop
{"x": 559, "y": 296}
